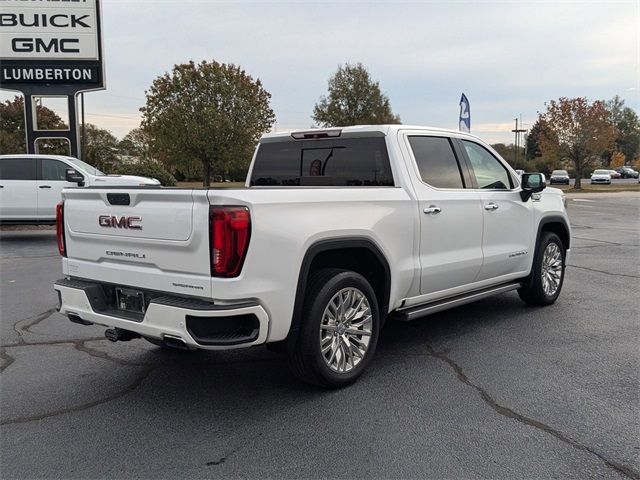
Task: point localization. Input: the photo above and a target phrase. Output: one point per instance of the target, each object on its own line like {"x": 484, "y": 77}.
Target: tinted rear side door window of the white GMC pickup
{"x": 436, "y": 161}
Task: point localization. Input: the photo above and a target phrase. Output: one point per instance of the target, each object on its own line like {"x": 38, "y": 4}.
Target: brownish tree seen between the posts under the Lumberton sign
{"x": 12, "y": 129}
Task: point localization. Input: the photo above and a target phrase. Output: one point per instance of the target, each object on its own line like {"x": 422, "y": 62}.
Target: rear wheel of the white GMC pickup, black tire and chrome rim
{"x": 339, "y": 329}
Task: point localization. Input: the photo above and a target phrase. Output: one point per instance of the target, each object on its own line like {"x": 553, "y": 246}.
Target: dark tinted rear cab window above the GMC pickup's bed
{"x": 334, "y": 162}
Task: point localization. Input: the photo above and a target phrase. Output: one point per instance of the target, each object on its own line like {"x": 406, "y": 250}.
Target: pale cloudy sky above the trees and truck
{"x": 508, "y": 57}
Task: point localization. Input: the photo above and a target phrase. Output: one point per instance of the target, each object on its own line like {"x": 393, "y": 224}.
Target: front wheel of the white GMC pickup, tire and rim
{"x": 544, "y": 284}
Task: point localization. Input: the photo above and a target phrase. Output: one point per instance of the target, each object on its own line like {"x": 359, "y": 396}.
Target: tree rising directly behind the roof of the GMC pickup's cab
{"x": 353, "y": 99}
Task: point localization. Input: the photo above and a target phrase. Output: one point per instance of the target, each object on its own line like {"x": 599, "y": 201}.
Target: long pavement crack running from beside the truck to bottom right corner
{"x": 509, "y": 413}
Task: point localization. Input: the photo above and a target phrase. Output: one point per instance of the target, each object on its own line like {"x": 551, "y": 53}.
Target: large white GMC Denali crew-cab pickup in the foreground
{"x": 334, "y": 231}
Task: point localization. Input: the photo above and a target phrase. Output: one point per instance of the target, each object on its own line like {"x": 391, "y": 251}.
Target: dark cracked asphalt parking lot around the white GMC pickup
{"x": 493, "y": 389}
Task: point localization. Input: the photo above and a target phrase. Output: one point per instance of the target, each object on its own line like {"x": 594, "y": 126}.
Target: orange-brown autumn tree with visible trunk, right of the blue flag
{"x": 576, "y": 130}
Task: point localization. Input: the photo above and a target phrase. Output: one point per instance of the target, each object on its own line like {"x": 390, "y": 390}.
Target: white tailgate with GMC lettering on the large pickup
{"x": 150, "y": 238}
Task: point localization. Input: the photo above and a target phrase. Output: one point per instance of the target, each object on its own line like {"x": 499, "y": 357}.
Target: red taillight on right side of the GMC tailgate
{"x": 229, "y": 230}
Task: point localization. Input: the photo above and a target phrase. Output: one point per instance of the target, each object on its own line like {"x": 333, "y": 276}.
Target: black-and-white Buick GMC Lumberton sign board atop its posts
{"x": 51, "y": 43}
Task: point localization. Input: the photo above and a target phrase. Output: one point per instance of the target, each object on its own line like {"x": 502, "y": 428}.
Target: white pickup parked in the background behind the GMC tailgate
{"x": 31, "y": 185}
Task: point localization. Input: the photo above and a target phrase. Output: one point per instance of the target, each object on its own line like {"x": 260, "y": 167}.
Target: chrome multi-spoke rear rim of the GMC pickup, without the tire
{"x": 345, "y": 330}
